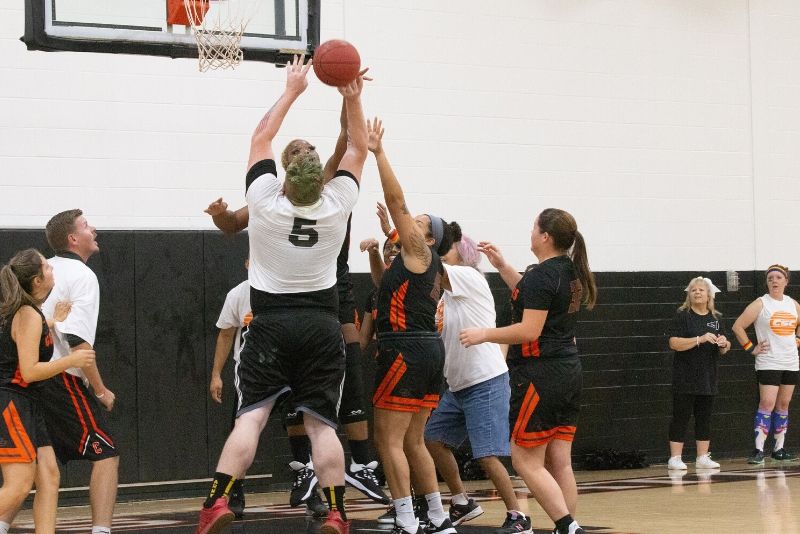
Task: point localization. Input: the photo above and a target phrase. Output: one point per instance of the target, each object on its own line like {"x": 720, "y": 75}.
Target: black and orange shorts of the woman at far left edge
{"x": 22, "y": 429}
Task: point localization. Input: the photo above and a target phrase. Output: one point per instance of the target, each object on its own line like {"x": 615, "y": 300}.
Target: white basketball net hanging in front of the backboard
{"x": 218, "y": 25}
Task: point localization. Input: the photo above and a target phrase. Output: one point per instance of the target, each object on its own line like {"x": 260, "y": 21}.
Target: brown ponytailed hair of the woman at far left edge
{"x": 16, "y": 282}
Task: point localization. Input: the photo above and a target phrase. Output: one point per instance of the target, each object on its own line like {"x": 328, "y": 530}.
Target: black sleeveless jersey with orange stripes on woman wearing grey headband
{"x": 407, "y": 301}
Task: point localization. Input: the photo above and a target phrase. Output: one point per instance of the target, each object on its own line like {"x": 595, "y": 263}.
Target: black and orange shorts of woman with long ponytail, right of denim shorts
{"x": 545, "y": 400}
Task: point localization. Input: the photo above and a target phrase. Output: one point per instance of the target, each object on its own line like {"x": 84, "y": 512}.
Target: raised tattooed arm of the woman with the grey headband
{"x": 415, "y": 252}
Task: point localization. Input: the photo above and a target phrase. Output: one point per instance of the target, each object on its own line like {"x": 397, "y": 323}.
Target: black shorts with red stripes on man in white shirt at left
{"x": 75, "y": 420}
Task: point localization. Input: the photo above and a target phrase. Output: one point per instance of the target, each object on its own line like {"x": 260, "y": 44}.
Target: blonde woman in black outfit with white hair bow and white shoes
{"x": 697, "y": 337}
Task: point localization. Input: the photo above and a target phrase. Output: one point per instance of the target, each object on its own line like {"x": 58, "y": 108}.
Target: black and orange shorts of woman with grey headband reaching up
{"x": 408, "y": 371}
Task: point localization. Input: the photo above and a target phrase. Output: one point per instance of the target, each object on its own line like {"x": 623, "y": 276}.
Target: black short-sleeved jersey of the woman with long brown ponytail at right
{"x": 552, "y": 285}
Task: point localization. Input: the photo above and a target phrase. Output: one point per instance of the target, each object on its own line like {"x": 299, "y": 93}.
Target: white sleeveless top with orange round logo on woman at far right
{"x": 777, "y": 323}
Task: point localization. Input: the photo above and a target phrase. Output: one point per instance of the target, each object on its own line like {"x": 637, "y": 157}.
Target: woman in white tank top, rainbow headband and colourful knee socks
{"x": 775, "y": 317}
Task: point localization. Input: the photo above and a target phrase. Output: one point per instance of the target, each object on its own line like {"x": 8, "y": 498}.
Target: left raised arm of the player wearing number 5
{"x": 267, "y": 129}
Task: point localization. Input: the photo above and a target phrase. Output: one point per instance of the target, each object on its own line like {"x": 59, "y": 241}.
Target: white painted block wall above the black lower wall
{"x": 669, "y": 128}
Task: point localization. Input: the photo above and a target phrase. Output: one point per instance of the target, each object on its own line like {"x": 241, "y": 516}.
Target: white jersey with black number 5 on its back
{"x": 293, "y": 249}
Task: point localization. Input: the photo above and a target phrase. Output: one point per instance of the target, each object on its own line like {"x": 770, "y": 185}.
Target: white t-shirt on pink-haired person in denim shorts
{"x": 468, "y": 304}
